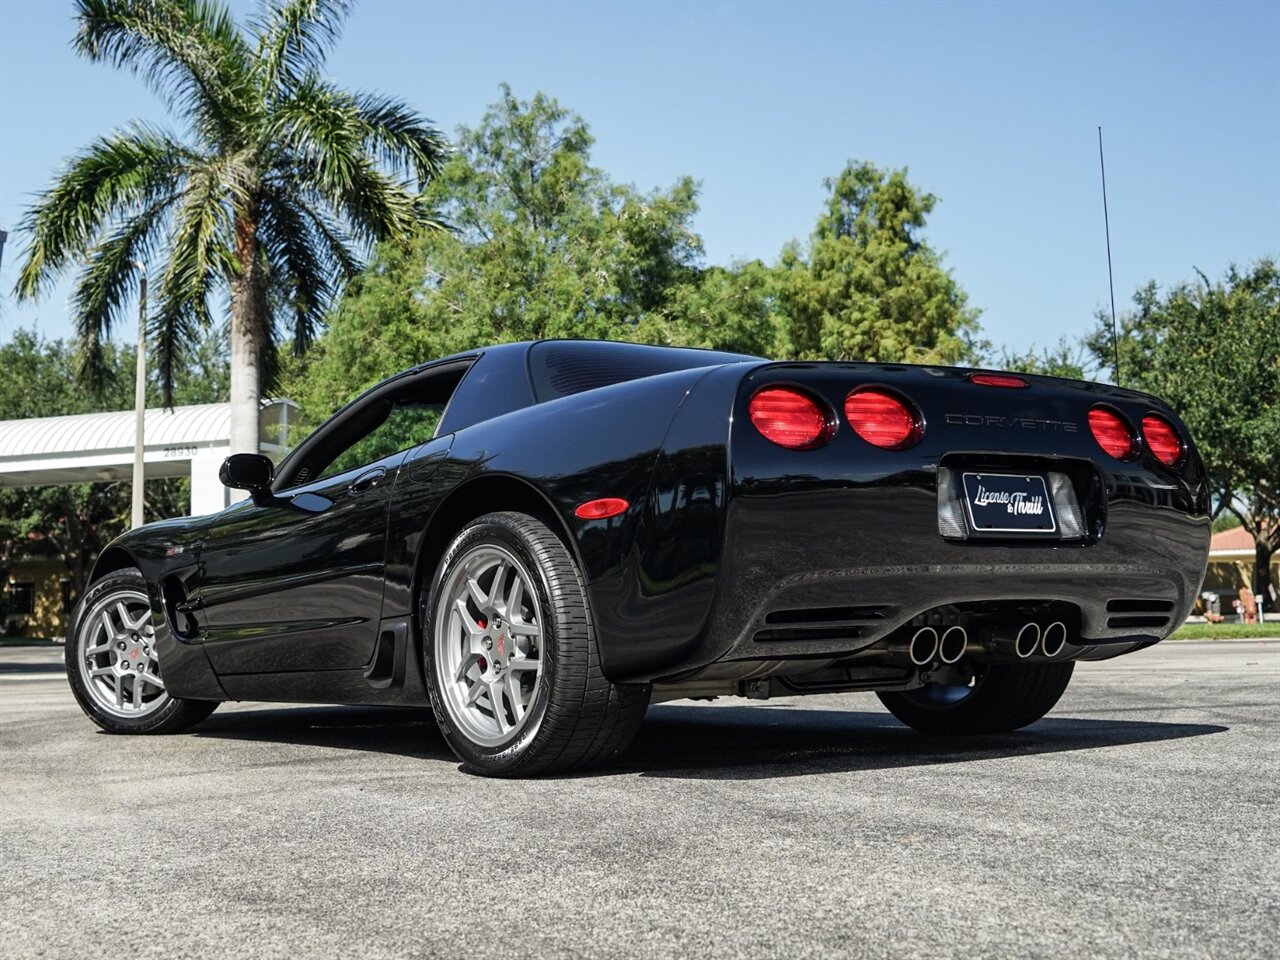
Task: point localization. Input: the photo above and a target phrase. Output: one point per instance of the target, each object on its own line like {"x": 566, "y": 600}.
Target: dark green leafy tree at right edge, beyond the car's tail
{"x": 1213, "y": 351}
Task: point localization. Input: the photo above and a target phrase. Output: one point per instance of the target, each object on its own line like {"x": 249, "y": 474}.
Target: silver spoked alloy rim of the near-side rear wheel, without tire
{"x": 488, "y": 646}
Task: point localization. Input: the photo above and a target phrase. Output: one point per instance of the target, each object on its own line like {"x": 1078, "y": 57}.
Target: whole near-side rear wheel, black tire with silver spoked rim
{"x": 511, "y": 657}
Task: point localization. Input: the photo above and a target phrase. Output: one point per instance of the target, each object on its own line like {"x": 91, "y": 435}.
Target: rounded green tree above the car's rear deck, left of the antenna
{"x": 870, "y": 287}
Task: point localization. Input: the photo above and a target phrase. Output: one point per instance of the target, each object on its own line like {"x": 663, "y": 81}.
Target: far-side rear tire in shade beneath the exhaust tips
{"x": 1004, "y": 697}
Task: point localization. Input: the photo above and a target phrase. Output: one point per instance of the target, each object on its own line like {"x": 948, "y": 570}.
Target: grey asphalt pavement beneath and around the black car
{"x": 1139, "y": 820}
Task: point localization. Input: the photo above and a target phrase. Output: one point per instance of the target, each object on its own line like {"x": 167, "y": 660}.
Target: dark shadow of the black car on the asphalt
{"x": 723, "y": 743}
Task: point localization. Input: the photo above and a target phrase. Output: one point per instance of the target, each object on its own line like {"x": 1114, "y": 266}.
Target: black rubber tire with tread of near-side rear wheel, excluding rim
{"x": 575, "y": 719}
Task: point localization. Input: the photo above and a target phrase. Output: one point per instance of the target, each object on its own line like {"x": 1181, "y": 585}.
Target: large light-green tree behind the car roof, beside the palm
{"x": 543, "y": 245}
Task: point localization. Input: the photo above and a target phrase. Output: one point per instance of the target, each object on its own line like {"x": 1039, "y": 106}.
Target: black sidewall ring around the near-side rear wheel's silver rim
{"x": 513, "y": 755}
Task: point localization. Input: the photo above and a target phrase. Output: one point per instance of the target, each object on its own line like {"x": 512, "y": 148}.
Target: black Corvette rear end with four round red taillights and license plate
{"x": 934, "y": 515}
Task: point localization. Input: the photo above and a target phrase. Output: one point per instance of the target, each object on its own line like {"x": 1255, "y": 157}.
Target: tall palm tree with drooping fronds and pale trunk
{"x": 278, "y": 186}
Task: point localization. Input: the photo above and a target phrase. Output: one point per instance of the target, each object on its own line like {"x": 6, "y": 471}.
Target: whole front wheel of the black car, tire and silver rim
{"x": 113, "y": 666}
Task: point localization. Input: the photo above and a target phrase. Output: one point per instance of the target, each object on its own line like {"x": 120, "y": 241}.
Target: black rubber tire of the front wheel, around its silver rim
{"x": 163, "y": 714}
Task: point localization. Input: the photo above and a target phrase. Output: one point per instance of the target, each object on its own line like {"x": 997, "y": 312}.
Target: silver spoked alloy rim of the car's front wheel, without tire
{"x": 118, "y": 656}
